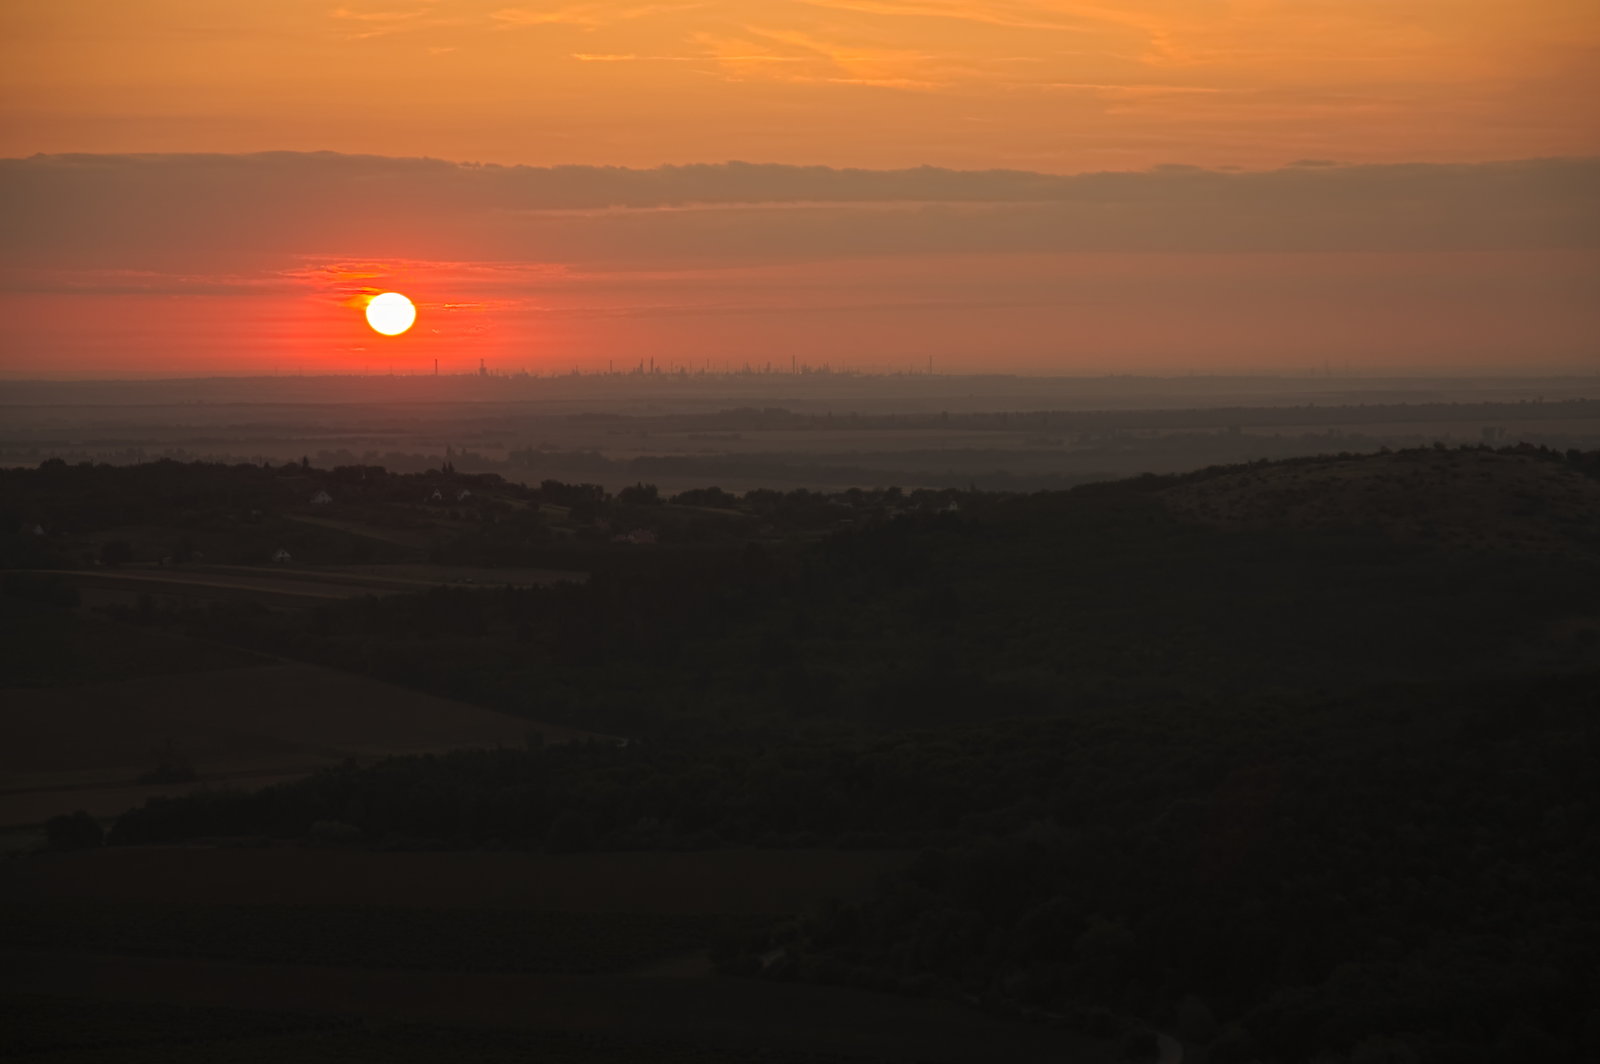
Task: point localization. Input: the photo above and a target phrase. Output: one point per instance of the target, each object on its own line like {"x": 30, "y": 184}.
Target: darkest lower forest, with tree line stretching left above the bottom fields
{"x": 1417, "y": 865}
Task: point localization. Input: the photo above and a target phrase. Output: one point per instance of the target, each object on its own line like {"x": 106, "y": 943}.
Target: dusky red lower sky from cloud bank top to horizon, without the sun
{"x": 220, "y": 265}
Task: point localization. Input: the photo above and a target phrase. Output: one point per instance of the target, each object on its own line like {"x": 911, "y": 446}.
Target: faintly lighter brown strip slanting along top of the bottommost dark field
{"x": 743, "y": 1014}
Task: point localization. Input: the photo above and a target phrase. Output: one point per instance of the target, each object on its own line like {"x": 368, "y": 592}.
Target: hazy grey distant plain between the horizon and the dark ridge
{"x": 801, "y": 431}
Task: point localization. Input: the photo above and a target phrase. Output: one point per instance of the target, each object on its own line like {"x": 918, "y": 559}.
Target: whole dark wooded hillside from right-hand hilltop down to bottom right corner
{"x": 1295, "y": 780}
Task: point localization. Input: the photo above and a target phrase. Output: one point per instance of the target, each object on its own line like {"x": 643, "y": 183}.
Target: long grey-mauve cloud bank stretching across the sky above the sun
{"x": 242, "y": 214}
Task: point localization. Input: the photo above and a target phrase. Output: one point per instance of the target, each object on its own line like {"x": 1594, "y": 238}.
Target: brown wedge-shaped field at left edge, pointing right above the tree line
{"x": 87, "y": 746}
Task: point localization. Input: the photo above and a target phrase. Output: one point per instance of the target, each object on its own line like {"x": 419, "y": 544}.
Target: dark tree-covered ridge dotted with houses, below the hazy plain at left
{"x": 81, "y": 516}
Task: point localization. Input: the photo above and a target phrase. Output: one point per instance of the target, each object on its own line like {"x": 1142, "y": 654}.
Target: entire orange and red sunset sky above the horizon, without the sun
{"x": 1262, "y": 263}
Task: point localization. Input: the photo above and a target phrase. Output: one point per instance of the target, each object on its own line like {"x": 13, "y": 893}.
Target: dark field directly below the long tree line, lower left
{"x": 442, "y": 911}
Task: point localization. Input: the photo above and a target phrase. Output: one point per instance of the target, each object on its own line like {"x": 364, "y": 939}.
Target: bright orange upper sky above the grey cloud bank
{"x": 1057, "y": 86}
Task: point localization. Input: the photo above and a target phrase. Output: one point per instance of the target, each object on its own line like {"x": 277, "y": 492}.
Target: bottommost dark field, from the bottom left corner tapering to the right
{"x": 372, "y": 1015}
